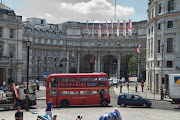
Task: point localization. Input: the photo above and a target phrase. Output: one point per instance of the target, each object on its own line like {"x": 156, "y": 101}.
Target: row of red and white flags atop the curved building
{"x": 129, "y": 28}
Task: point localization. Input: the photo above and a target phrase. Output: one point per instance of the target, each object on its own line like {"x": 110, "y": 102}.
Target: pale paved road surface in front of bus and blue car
{"x": 161, "y": 110}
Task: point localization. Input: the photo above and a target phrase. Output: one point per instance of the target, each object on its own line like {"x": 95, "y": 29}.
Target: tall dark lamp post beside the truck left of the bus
{"x": 28, "y": 43}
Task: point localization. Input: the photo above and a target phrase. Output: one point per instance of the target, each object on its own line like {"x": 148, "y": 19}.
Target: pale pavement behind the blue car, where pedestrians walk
{"x": 145, "y": 94}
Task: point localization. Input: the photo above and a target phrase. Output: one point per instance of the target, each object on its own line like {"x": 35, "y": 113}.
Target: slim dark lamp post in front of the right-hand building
{"x": 162, "y": 78}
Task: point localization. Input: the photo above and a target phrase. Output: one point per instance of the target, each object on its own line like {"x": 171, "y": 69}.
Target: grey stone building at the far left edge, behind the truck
{"x": 11, "y": 31}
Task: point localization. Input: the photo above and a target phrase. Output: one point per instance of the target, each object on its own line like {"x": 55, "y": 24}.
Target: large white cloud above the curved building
{"x": 58, "y": 11}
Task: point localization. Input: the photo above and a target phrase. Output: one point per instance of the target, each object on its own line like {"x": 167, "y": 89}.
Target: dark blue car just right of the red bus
{"x": 134, "y": 100}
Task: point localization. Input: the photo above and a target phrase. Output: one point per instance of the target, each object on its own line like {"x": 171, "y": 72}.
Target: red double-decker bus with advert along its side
{"x": 78, "y": 89}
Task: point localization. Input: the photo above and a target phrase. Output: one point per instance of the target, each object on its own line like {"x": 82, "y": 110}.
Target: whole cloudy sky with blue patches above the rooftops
{"x": 57, "y": 11}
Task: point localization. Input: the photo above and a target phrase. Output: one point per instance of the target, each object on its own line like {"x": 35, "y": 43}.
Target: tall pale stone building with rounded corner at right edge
{"x": 163, "y": 34}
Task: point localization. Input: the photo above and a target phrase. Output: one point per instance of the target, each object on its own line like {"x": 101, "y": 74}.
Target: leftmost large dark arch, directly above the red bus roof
{"x": 88, "y": 64}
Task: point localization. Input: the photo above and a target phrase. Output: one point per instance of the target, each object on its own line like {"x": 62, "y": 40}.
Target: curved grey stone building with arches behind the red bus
{"x": 68, "y": 47}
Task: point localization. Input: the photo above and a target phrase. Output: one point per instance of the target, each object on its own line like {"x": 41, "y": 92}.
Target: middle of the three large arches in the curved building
{"x": 109, "y": 65}
